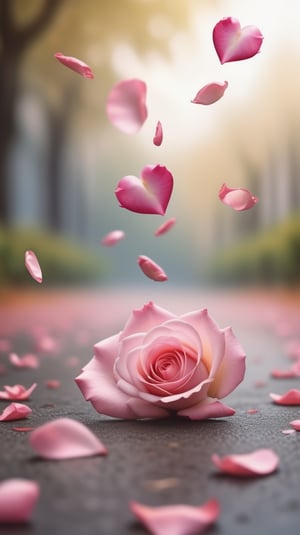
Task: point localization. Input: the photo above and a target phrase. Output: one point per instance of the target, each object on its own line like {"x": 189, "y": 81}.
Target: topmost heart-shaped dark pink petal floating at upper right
{"x": 233, "y": 43}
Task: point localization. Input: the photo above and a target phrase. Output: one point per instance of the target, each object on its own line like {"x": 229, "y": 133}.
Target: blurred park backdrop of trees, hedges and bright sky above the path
{"x": 61, "y": 158}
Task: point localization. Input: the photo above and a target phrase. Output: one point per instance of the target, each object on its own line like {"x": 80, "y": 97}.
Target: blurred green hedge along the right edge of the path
{"x": 270, "y": 258}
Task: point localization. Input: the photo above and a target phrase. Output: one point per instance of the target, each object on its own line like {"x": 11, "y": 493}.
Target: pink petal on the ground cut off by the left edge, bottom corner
{"x": 18, "y": 498}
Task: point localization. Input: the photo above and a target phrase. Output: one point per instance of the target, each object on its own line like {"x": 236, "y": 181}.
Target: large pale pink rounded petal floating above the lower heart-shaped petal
{"x": 126, "y": 105}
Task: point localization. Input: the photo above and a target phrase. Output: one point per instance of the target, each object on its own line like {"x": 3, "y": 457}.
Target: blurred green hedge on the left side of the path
{"x": 62, "y": 262}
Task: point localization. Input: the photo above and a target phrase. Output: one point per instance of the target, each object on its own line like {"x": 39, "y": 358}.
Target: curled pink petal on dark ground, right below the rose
{"x": 257, "y": 463}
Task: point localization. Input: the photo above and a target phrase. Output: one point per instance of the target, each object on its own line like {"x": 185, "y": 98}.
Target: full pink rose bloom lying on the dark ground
{"x": 162, "y": 364}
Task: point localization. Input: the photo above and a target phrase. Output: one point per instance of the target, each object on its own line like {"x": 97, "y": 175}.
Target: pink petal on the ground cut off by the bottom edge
{"x": 176, "y": 519}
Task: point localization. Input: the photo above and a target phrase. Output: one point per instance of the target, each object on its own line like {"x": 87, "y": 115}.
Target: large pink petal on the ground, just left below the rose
{"x": 65, "y": 438}
